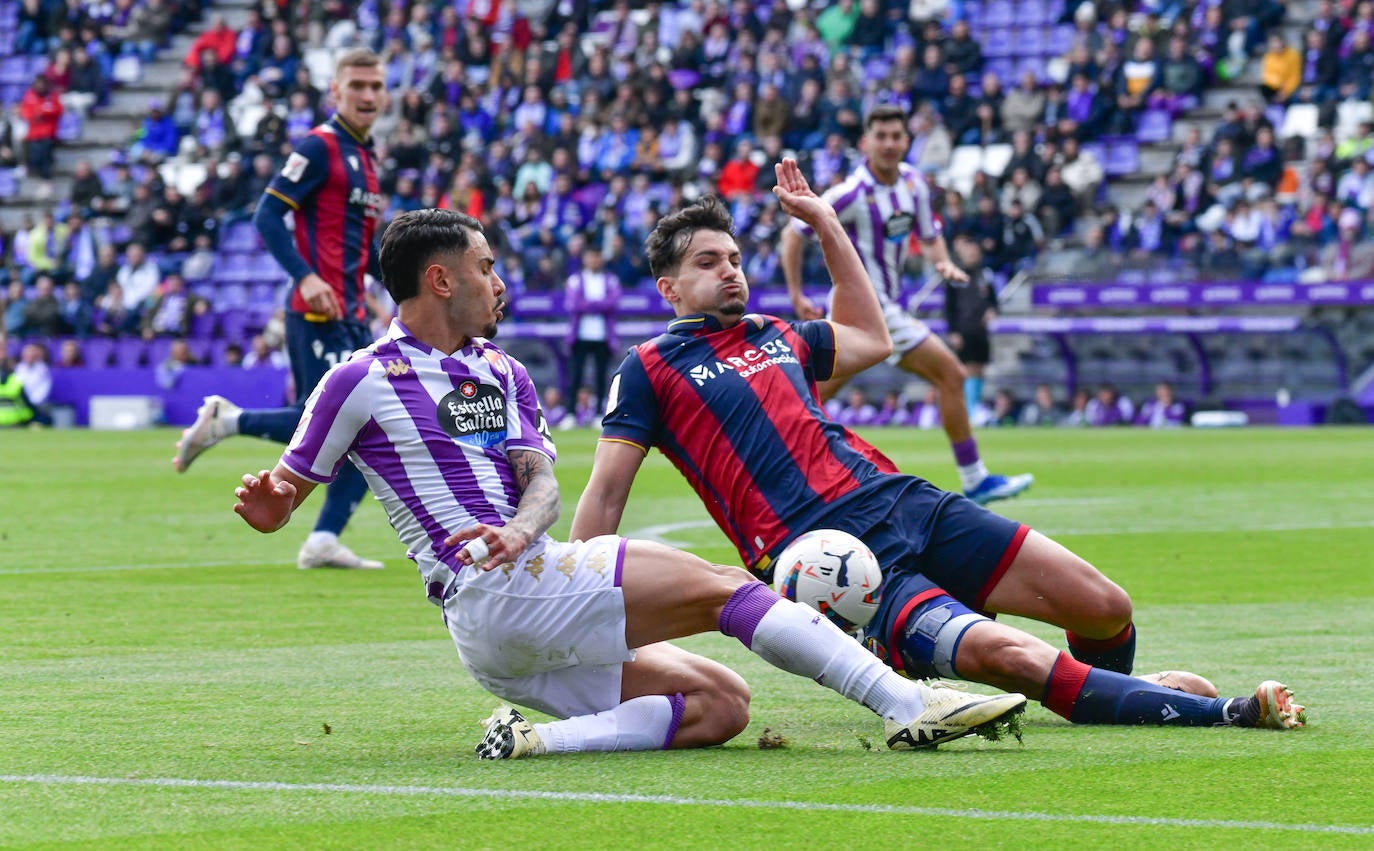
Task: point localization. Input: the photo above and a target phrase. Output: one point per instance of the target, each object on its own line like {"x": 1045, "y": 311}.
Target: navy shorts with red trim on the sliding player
{"x": 934, "y": 542}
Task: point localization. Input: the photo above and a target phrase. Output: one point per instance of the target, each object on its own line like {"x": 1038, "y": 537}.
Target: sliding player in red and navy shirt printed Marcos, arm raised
{"x": 732, "y": 401}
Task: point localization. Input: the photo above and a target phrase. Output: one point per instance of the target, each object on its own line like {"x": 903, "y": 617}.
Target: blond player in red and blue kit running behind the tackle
{"x": 330, "y": 186}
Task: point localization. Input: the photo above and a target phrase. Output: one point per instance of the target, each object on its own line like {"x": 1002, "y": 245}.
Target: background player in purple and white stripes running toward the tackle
{"x": 880, "y": 206}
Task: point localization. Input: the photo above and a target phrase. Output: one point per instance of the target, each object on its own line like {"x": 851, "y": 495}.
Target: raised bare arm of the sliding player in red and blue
{"x": 862, "y": 338}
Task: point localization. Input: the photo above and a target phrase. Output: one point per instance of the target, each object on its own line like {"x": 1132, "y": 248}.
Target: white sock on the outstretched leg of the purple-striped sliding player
{"x": 800, "y": 641}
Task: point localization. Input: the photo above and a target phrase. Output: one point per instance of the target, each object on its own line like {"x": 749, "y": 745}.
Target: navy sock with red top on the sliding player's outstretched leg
{"x": 1093, "y": 696}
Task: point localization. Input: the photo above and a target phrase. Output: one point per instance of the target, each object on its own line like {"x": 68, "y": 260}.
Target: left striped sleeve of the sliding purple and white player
{"x": 335, "y": 415}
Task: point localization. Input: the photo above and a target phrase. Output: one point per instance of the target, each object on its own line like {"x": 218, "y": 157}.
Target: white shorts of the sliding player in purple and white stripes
{"x": 549, "y": 630}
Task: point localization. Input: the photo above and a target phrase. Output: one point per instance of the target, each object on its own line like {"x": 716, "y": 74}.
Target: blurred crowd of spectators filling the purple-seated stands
{"x": 582, "y": 122}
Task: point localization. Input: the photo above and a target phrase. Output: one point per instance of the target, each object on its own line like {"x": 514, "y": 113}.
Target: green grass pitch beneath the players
{"x": 168, "y": 678}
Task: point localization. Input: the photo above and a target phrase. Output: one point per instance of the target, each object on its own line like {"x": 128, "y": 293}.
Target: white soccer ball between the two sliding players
{"x": 835, "y": 574}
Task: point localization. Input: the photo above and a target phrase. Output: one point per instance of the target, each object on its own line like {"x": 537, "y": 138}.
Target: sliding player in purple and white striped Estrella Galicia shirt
{"x": 449, "y": 432}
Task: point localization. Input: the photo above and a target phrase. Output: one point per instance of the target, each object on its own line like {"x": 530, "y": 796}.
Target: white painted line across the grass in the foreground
{"x": 671, "y": 801}
